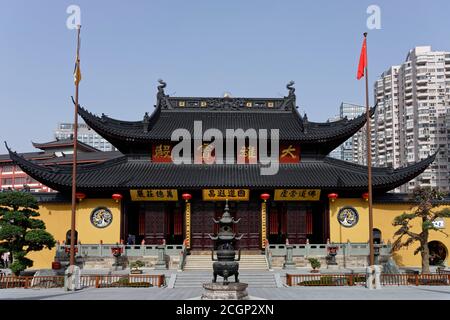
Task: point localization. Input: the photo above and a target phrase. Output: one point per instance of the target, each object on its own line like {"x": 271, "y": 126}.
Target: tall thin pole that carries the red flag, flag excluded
{"x": 369, "y": 161}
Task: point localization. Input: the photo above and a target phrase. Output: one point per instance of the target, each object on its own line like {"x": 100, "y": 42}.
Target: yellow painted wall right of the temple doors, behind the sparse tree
{"x": 383, "y": 215}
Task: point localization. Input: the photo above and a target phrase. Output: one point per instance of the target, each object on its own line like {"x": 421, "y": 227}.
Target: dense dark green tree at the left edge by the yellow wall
{"x": 20, "y": 231}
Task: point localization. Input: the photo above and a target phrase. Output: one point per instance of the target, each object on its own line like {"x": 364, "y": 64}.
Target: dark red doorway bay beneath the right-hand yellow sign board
{"x": 297, "y": 222}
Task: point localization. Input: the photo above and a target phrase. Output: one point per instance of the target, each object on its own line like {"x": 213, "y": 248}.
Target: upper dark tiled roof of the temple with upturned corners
{"x": 161, "y": 124}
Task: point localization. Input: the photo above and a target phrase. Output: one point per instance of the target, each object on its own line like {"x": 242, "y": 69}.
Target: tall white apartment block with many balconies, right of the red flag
{"x": 411, "y": 119}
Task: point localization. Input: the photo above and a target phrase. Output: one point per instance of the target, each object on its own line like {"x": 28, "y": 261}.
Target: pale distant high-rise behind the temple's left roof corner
{"x": 85, "y": 135}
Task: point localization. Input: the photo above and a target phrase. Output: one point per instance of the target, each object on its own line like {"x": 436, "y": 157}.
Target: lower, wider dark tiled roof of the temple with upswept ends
{"x": 124, "y": 173}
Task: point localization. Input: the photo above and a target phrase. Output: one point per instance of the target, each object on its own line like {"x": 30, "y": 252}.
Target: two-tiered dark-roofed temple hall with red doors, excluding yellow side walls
{"x": 152, "y": 208}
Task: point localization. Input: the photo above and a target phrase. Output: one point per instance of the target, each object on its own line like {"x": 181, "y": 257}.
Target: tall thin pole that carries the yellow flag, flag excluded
{"x": 74, "y": 163}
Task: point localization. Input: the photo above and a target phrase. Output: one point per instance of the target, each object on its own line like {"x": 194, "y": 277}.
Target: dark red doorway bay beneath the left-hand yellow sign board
{"x": 154, "y": 222}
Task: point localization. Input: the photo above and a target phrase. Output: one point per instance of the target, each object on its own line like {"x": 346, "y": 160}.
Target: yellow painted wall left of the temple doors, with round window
{"x": 57, "y": 221}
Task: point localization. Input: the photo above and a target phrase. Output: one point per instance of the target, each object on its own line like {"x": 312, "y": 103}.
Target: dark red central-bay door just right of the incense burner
{"x": 249, "y": 225}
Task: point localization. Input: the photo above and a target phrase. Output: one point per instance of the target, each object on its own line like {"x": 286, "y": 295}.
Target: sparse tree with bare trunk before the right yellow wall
{"x": 426, "y": 200}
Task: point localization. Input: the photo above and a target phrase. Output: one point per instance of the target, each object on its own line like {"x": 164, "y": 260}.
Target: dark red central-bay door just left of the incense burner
{"x": 202, "y": 225}
